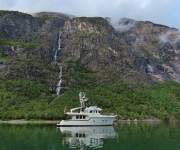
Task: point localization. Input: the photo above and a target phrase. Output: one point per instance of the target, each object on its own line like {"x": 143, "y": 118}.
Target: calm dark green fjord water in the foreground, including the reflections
{"x": 122, "y": 136}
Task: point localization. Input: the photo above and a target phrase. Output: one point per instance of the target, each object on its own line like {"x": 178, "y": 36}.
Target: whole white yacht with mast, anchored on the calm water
{"x": 86, "y": 115}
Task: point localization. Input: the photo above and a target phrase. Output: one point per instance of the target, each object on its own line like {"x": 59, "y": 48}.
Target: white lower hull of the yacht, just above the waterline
{"x": 94, "y": 121}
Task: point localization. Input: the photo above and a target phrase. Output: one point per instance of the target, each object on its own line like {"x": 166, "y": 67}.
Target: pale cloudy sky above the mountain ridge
{"x": 166, "y": 12}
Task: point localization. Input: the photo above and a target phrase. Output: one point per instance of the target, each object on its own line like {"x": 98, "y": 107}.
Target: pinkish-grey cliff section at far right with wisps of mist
{"x": 158, "y": 47}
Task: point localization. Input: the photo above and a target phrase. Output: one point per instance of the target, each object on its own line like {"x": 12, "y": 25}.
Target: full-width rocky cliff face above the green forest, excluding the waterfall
{"x": 133, "y": 51}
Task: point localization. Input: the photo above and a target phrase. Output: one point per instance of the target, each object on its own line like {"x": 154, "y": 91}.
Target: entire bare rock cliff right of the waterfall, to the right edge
{"x": 134, "y": 51}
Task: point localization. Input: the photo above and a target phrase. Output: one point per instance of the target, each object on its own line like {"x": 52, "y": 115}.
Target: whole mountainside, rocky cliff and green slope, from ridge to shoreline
{"x": 94, "y": 54}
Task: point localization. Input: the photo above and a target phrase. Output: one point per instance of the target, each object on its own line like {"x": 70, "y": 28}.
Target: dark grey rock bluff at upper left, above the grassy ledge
{"x": 15, "y": 25}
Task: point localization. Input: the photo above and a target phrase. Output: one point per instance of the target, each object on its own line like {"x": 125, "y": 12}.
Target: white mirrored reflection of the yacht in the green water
{"x": 87, "y": 137}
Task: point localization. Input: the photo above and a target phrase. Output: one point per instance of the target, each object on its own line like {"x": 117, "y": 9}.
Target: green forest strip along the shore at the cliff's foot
{"x": 30, "y": 100}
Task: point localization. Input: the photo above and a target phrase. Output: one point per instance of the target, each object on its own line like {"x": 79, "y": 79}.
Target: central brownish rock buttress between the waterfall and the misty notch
{"x": 93, "y": 44}
